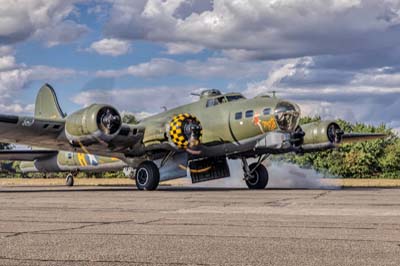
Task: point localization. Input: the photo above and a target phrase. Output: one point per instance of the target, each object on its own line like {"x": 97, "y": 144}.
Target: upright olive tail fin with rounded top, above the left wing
{"x": 47, "y": 106}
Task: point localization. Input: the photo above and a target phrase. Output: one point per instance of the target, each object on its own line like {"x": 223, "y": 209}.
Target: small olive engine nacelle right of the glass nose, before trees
{"x": 321, "y": 132}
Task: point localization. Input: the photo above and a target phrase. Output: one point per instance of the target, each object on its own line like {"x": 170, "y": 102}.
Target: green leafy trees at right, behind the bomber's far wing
{"x": 369, "y": 159}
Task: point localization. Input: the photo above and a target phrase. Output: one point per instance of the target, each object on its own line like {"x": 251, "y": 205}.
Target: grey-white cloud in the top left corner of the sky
{"x": 46, "y": 21}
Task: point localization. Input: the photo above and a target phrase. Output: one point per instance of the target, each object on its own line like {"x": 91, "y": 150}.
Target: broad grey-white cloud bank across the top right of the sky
{"x": 259, "y": 28}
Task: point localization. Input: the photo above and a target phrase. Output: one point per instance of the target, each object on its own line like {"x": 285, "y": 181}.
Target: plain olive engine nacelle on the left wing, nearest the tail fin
{"x": 93, "y": 124}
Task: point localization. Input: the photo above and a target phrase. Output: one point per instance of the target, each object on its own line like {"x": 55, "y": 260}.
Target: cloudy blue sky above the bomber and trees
{"x": 336, "y": 58}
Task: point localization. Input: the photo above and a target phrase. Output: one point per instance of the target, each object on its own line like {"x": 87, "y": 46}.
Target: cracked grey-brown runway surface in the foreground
{"x": 196, "y": 226}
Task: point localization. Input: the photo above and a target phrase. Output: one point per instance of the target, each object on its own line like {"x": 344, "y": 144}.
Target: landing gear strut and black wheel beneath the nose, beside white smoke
{"x": 255, "y": 174}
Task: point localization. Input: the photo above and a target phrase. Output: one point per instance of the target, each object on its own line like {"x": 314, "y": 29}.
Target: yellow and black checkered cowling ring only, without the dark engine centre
{"x": 177, "y": 129}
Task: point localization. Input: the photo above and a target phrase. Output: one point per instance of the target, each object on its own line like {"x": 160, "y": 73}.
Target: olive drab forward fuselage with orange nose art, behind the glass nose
{"x": 227, "y": 121}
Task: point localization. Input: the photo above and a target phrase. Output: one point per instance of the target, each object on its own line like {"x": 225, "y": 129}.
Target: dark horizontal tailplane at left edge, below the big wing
{"x": 25, "y": 155}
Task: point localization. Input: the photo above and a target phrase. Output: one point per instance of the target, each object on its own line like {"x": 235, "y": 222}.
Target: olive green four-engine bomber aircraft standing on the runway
{"x": 195, "y": 139}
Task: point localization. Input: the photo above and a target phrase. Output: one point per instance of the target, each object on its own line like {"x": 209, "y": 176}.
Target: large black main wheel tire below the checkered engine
{"x": 147, "y": 176}
